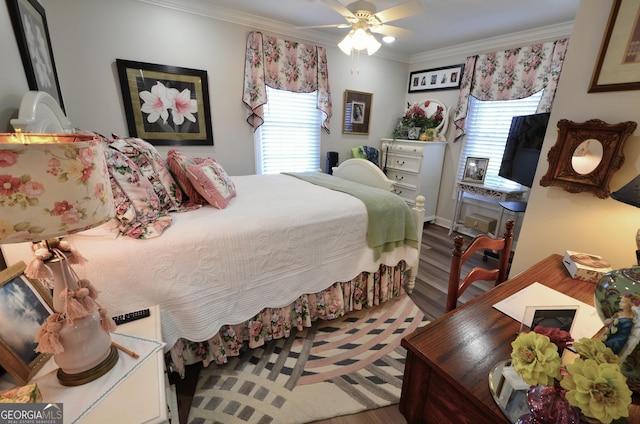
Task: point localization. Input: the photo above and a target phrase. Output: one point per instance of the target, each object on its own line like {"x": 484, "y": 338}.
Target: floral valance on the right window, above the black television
{"x": 509, "y": 75}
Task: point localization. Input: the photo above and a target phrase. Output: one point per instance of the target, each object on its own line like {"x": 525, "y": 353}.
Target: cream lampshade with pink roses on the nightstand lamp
{"x": 51, "y": 185}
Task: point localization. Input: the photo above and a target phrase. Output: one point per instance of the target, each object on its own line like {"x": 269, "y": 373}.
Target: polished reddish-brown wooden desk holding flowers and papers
{"x": 446, "y": 376}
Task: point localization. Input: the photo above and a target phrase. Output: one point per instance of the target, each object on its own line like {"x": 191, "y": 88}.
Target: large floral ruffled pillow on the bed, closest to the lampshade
{"x": 136, "y": 202}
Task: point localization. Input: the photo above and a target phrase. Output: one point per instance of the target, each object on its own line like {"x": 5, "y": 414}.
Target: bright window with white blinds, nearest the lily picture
{"x": 289, "y": 139}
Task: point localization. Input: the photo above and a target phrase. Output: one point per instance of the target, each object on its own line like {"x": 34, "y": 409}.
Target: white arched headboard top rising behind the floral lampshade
{"x": 40, "y": 113}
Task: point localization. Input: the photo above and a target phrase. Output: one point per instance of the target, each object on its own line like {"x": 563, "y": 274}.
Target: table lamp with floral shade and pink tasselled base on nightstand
{"x": 52, "y": 185}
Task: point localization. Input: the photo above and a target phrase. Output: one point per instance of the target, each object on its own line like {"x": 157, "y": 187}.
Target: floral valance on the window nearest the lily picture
{"x": 284, "y": 65}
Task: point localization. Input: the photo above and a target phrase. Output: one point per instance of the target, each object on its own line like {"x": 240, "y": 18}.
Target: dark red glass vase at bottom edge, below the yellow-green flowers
{"x": 549, "y": 406}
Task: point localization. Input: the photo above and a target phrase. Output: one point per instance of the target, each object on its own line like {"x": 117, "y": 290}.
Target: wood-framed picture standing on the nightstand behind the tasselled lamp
{"x": 25, "y": 305}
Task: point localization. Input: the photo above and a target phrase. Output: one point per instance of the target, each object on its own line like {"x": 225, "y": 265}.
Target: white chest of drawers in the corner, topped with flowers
{"x": 416, "y": 168}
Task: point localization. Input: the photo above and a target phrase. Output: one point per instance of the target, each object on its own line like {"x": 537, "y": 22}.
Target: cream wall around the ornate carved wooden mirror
{"x": 555, "y": 220}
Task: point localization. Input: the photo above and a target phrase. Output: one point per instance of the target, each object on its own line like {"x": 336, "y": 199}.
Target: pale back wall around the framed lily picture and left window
{"x": 88, "y": 36}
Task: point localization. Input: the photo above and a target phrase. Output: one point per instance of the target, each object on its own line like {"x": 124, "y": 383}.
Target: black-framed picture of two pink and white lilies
{"x": 138, "y": 77}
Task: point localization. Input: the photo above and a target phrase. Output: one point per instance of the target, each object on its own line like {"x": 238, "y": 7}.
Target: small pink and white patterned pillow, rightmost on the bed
{"x": 212, "y": 182}
